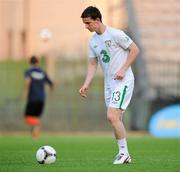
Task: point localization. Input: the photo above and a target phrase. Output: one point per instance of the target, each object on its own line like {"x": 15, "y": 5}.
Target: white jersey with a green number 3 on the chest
{"x": 110, "y": 48}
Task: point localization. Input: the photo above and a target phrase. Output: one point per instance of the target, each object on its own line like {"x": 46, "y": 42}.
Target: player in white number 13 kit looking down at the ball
{"x": 115, "y": 52}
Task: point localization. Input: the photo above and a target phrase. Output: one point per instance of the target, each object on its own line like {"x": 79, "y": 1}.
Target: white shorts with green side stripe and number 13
{"x": 118, "y": 94}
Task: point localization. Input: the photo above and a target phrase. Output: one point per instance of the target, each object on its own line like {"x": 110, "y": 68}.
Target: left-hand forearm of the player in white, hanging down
{"x": 92, "y": 67}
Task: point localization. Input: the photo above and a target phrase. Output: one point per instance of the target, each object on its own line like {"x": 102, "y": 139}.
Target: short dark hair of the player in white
{"x": 92, "y": 12}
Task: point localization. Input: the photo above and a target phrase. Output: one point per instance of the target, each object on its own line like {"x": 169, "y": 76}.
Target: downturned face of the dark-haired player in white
{"x": 90, "y": 24}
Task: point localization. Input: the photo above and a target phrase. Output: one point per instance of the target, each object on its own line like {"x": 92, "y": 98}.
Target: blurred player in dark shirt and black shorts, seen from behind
{"x": 35, "y": 80}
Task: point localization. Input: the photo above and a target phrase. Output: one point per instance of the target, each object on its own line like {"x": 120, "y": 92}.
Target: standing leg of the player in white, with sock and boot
{"x": 115, "y": 117}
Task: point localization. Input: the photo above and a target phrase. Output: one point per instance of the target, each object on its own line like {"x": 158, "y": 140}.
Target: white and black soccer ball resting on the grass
{"x": 46, "y": 155}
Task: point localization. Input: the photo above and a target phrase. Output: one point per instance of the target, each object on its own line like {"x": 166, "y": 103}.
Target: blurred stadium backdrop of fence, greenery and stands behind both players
{"x": 53, "y": 30}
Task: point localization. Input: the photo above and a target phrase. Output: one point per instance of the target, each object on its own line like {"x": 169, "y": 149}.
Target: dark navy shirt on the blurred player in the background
{"x": 37, "y": 86}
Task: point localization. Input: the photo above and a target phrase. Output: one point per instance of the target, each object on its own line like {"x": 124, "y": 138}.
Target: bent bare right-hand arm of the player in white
{"x": 133, "y": 53}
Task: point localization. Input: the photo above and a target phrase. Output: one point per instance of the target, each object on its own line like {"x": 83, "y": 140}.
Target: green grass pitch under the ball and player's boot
{"x": 89, "y": 154}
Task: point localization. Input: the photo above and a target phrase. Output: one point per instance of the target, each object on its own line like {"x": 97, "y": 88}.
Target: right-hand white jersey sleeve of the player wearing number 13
{"x": 123, "y": 40}
